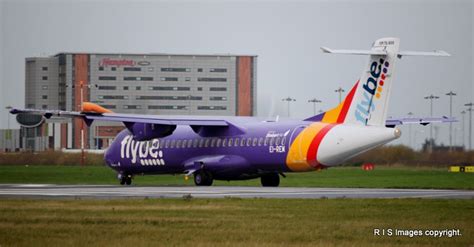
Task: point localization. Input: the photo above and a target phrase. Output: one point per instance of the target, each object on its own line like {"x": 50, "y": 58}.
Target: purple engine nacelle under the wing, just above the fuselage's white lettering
{"x": 146, "y": 131}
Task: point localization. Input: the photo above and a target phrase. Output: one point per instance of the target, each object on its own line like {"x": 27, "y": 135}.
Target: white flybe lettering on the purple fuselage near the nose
{"x": 148, "y": 153}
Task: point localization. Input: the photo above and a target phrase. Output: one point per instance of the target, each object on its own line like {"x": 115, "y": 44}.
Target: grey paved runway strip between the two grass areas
{"x": 110, "y": 192}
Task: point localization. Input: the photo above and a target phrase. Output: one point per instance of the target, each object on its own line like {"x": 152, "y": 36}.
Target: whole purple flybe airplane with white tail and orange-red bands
{"x": 238, "y": 148}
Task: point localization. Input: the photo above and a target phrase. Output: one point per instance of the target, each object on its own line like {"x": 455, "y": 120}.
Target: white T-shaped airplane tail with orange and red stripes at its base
{"x": 367, "y": 102}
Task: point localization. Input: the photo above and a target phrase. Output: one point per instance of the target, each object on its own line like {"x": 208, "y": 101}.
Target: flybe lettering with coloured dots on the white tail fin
{"x": 372, "y": 87}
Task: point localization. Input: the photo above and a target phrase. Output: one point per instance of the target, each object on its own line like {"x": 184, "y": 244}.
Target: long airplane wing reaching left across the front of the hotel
{"x": 127, "y": 118}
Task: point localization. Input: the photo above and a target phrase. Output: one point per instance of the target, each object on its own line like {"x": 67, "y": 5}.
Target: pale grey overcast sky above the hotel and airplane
{"x": 286, "y": 36}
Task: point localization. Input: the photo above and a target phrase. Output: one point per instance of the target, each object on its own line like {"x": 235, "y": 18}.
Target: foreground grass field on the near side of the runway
{"x": 231, "y": 222}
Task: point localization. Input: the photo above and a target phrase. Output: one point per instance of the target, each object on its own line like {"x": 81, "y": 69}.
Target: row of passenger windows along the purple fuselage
{"x": 223, "y": 142}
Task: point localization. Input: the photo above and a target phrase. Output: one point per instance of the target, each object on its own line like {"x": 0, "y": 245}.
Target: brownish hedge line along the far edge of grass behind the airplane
{"x": 385, "y": 155}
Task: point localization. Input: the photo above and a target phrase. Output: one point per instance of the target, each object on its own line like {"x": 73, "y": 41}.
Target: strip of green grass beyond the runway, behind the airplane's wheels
{"x": 381, "y": 177}
